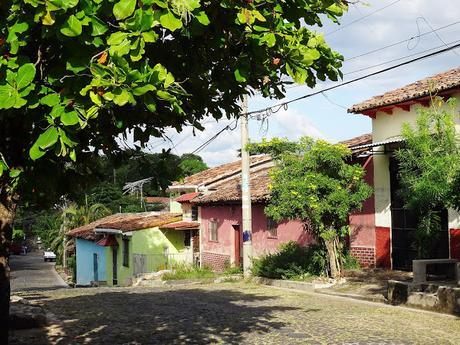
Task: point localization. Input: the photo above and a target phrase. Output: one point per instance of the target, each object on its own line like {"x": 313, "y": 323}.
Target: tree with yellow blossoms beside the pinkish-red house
{"x": 315, "y": 182}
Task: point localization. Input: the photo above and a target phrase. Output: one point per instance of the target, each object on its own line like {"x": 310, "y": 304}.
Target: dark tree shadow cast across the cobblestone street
{"x": 177, "y": 316}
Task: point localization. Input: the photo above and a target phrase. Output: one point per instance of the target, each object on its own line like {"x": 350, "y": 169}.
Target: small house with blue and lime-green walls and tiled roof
{"x": 113, "y": 250}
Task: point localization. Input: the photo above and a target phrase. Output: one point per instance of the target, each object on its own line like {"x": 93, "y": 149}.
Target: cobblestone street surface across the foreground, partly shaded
{"x": 229, "y": 313}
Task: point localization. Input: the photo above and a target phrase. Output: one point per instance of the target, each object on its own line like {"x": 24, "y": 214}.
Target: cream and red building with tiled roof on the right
{"x": 382, "y": 234}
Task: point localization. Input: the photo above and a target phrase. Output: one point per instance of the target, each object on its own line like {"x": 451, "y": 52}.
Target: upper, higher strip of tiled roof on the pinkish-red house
{"x": 221, "y": 172}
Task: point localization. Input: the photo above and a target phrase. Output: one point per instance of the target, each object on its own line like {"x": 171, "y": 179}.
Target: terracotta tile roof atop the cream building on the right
{"x": 422, "y": 88}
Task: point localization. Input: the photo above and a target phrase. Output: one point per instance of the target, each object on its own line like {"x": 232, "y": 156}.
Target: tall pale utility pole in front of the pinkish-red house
{"x": 246, "y": 191}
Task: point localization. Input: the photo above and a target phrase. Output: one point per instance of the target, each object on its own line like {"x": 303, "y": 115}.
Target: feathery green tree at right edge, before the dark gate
{"x": 429, "y": 169}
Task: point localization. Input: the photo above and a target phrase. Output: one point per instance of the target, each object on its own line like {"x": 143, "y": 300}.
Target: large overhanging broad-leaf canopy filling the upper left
{"x": 77, "y": 74}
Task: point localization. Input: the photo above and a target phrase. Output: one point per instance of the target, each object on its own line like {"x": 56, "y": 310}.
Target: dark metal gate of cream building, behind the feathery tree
{"x": 403, "y": 227}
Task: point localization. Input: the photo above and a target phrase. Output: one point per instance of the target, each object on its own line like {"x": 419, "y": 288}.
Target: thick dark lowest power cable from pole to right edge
{"x": 285, "y": 104}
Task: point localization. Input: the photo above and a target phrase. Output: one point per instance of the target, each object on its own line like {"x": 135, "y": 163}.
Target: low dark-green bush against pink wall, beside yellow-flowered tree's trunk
{"x": 293, "y": 262}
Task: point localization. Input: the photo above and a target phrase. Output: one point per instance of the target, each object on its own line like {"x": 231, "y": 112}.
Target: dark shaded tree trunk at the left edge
{"x": 7, "y": 212}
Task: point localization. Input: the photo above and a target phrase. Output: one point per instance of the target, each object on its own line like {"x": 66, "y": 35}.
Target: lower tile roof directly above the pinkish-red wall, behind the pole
{"x": 230, "y": 191}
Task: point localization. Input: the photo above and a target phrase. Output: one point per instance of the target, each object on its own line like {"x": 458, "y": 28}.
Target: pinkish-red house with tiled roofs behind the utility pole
{"x": 213, "y": 199}
